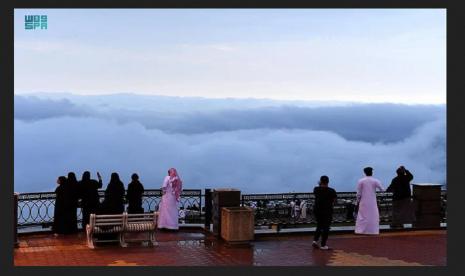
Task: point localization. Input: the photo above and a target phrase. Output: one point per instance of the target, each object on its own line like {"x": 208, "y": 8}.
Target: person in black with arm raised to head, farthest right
{"x": 402, "y": 211}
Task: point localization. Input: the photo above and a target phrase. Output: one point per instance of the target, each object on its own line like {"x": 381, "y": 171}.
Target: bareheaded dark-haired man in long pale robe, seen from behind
{"x": 368, "y": 214}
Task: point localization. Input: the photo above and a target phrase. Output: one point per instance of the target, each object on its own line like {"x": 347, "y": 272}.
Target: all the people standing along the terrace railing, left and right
{"x": 69, "y": 192}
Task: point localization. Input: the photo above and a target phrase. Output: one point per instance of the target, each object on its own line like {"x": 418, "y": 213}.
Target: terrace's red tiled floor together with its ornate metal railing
{"x": 283, "y": 235}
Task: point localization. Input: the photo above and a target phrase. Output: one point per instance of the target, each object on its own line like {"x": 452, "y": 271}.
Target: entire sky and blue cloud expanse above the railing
{"x": 265, "y": 101}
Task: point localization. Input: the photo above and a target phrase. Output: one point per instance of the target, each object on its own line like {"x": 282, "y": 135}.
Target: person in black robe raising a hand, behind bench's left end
{"x": 90, "y": 200}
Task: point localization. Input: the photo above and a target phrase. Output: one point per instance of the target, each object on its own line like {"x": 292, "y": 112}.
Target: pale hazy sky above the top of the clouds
{"x": 361, "y": 55}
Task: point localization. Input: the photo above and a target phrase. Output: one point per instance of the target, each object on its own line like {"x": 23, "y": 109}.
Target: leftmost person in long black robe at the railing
{"x": 62, "y": 221}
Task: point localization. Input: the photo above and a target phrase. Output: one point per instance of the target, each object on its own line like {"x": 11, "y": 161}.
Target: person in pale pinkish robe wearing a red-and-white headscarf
{"x": 168, "y": 208}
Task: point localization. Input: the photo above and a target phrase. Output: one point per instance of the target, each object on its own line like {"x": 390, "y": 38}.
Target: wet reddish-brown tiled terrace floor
{"x": 196, "y": 248}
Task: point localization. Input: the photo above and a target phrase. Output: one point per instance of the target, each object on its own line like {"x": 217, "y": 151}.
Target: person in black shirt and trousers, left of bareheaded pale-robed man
{"x": 323, "y": 210}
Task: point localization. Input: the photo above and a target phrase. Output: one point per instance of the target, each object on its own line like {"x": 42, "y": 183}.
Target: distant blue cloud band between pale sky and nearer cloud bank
{"x": 365, "y": 122}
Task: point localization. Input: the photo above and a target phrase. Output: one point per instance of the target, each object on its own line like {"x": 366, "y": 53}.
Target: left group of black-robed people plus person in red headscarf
{"x": 71, "y": 194}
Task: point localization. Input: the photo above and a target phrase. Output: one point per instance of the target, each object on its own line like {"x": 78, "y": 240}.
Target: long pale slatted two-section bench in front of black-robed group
{"x": 121, "y": 224}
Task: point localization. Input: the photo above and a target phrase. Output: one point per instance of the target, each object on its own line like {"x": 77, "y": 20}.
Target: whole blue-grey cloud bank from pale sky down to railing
{"x": 249, "y": 149}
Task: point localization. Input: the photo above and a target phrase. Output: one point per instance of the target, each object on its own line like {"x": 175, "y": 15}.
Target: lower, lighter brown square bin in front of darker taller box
{"x": 237, "y": 224}
